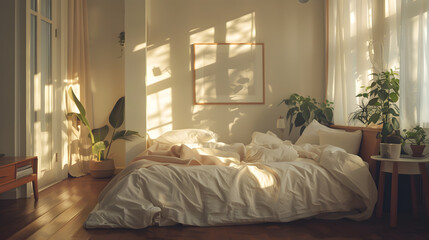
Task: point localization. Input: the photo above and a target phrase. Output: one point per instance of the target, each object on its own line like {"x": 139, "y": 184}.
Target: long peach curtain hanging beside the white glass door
{"x": 78, "y": 76}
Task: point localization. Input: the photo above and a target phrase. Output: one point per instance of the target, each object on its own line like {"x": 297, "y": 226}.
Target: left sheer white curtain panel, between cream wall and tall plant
{"x": 349, "y": 41}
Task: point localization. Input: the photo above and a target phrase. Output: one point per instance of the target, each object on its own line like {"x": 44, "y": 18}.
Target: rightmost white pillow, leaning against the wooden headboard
{"x": 349, "y": 141}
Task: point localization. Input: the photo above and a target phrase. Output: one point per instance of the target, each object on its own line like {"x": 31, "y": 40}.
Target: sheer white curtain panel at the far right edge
{"x": 414, "y": 51}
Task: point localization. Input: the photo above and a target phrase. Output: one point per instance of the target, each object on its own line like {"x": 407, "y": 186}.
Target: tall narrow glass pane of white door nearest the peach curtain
{"x": 46, "y": 107}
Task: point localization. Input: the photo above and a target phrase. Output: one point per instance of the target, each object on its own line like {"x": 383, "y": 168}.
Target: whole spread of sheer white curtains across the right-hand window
{"x": 376, "y": 35}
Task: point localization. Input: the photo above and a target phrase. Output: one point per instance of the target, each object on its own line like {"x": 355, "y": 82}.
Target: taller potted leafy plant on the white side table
{"x": 379, "y": 107}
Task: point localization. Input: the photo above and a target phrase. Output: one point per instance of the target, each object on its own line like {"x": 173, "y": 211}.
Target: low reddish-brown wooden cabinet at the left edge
{"x": 9, "y": 166}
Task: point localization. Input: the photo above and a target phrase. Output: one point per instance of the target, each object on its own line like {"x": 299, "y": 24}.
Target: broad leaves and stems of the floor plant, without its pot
{"x": 98, "y": 135}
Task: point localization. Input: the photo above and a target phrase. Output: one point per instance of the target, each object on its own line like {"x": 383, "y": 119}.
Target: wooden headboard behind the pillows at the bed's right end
{"x": 370, "y": 144}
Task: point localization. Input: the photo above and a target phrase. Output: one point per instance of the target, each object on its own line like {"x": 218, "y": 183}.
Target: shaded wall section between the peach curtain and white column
{"x": 105, "y": 22}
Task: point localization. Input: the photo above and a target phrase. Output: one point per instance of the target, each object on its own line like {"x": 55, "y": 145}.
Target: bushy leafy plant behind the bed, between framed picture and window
{"x": 302, "y": 110}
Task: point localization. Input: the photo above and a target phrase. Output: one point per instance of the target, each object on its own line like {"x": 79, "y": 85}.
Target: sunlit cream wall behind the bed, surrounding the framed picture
{"x": 293, "y": 34}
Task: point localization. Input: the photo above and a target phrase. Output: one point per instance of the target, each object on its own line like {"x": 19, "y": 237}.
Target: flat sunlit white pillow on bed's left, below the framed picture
{"x": 186, "y": 136}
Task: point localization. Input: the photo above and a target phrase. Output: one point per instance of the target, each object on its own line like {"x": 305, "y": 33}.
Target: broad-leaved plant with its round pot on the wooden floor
{"x": 102, "y": 166}
